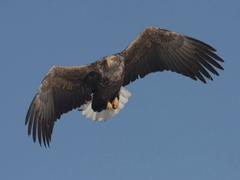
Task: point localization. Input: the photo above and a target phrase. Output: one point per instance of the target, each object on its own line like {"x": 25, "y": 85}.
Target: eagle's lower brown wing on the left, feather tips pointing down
{"x": 61, "y": 90}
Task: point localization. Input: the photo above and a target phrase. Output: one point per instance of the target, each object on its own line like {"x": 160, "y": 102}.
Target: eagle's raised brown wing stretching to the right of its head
{"x": 156, "y": 49}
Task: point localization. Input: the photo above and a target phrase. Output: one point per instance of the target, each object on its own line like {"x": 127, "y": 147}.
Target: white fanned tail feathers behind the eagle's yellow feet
{"x": 104, "y": 115}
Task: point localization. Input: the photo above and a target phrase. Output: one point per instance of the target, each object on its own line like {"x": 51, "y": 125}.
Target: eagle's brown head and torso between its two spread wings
{"x": 105, "y": 81}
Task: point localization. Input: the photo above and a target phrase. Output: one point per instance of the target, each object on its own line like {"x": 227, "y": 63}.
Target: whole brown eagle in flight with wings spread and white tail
{"x": 97, "y": 89}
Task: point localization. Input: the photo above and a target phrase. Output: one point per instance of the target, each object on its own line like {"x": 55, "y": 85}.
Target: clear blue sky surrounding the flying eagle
{"x": 171, "y": 128}
